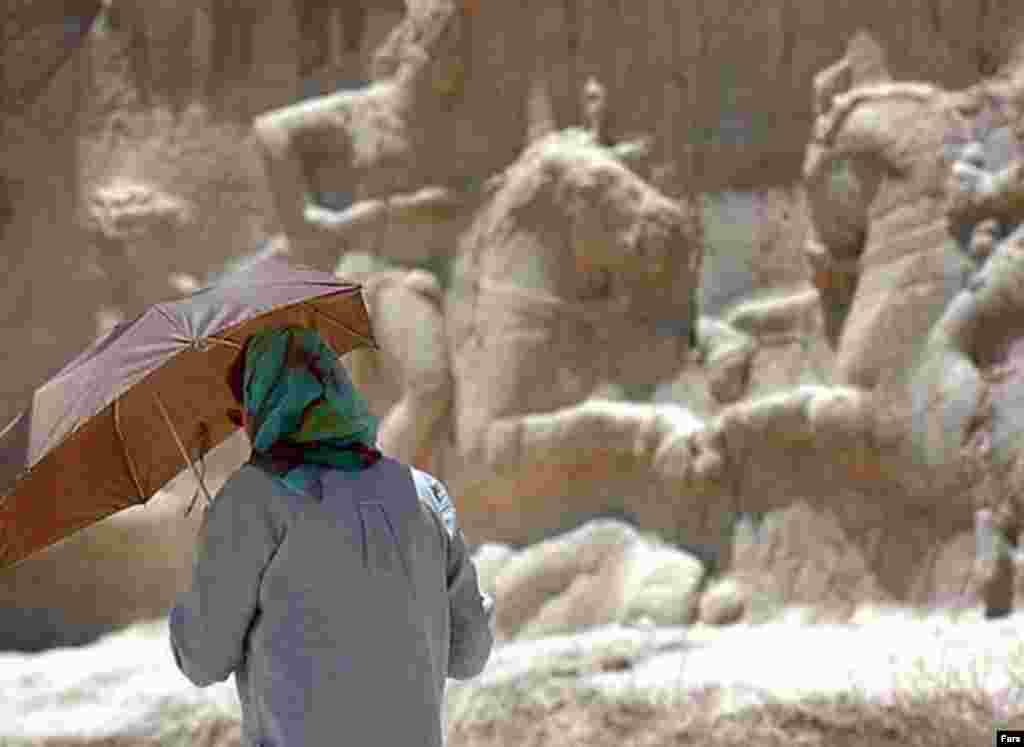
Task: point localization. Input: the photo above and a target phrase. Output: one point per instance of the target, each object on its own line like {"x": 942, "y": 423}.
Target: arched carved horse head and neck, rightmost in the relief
{"x": 874, "y": 178}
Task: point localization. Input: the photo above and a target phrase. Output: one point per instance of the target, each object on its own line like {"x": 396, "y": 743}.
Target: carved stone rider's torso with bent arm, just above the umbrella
{"x": 380, "y": 135}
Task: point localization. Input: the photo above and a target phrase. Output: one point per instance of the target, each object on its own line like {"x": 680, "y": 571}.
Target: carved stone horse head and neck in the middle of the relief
{"x": 590, "y": 272}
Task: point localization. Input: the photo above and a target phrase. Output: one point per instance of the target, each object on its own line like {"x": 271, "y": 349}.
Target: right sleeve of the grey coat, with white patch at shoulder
{"x": 473, "y": 612}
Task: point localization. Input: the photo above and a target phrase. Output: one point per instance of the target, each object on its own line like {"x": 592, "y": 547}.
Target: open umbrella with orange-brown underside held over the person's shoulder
{"x": 151, "y": 398}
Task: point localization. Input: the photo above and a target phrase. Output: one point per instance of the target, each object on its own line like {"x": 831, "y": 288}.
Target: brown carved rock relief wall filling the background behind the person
{"x": 502, "y": 381}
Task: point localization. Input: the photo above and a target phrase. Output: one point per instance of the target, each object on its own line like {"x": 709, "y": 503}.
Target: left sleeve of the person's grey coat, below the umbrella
{"x": 209, "y": 625}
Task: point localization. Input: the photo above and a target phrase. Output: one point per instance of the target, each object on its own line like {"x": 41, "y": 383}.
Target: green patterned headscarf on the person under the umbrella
{"x": 304, "y": 414}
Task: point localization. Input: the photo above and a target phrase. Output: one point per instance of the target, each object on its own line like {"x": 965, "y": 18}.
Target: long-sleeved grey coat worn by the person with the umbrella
{"x": 340, "y": 620}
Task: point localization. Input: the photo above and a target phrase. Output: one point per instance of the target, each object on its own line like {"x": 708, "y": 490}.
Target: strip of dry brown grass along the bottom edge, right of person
{"x": 953, "y": 719}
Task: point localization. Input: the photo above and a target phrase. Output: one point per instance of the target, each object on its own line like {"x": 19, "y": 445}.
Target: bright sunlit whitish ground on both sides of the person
{"x": 127, "y": 684}
